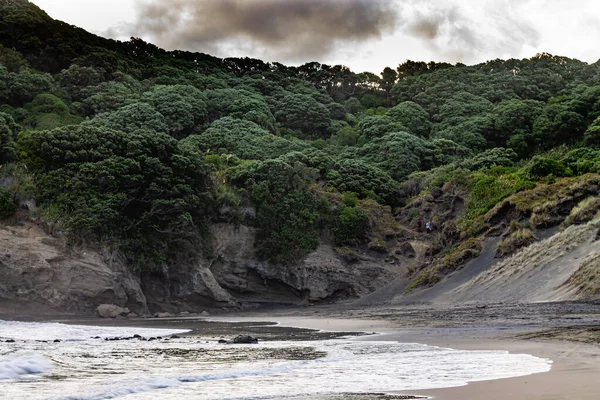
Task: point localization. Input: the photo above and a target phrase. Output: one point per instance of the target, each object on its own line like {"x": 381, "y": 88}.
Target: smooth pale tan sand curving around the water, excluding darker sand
{"x": 573, "y": 376}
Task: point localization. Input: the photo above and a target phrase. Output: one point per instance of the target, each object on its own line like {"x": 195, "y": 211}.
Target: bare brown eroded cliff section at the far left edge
{"x": 37, "y": 269}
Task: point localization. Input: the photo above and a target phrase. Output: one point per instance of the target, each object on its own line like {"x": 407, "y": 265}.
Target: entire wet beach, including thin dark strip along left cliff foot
{"x": 567, "y": 334}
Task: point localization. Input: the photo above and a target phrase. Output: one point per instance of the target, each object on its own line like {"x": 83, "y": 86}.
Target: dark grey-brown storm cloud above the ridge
{"x": 294, "y": 29}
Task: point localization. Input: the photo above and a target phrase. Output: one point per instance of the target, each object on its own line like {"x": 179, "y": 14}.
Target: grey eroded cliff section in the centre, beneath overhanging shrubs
{"x": 322, "y": 276}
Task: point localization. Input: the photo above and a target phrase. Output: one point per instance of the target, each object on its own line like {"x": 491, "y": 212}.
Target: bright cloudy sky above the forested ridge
{"x": 365, "y": 35}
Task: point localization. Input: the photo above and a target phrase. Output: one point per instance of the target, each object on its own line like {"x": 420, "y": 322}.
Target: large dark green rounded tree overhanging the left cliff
{"x": 139, "y": 191}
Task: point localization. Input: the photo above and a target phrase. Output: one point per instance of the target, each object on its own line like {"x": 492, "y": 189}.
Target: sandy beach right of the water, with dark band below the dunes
{"x": 566, "y": 333}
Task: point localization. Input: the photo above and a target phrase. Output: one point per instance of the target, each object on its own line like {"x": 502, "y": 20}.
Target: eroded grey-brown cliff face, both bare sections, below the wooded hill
{"x": 38, "y": 269}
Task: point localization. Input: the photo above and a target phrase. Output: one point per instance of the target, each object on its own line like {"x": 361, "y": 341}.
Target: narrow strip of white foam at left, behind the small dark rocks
{"x": 51, "y": 331}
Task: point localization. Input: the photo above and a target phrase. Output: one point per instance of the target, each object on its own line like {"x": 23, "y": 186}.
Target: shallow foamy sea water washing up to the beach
{"x": 84, "y": 366}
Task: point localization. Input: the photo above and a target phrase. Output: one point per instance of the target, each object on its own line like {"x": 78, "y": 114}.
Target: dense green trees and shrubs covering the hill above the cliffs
{"x": 131, "y": 146}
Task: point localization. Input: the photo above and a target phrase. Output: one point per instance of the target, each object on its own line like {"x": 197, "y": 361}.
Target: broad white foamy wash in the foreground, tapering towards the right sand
{"x": 350, "y": 367}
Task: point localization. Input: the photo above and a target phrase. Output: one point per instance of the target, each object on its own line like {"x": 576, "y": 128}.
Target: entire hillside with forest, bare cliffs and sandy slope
{"x": 222, "y": 182}
